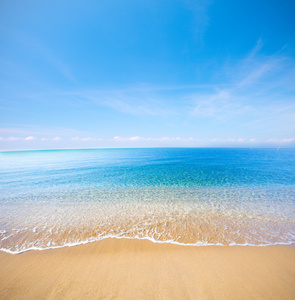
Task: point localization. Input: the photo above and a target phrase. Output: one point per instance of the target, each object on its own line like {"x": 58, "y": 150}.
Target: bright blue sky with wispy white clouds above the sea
{"x": 147, "y": 73}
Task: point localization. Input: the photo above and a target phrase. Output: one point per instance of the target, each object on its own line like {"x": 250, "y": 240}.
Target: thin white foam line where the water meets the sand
{"x": 198, "y": 244}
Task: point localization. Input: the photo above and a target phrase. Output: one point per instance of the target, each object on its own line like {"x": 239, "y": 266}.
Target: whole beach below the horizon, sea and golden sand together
{"x": 147, "y": 224}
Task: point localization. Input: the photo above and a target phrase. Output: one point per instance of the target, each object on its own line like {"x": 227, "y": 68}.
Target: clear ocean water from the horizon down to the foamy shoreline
{"x": 190, "y": 196}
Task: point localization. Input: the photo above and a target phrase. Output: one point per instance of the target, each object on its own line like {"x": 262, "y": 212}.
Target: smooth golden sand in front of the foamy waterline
{"x": 140, "y": 269}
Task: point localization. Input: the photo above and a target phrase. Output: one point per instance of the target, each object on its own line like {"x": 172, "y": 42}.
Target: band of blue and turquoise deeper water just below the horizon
{"x": 147, "y": 167}
